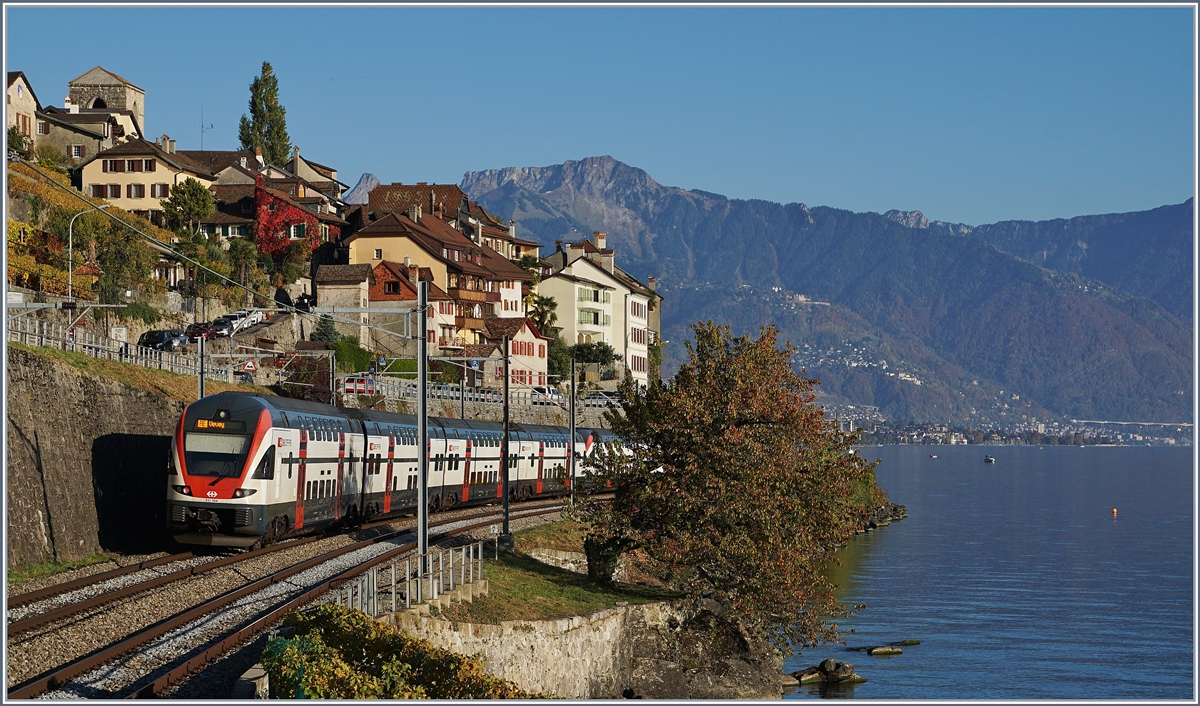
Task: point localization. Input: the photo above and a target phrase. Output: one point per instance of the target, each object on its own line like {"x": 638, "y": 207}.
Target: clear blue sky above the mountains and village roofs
{"x": 969, "y": 115}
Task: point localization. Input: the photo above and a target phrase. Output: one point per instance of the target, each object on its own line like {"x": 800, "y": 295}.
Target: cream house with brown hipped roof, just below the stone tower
{"x": 139, "y": 175}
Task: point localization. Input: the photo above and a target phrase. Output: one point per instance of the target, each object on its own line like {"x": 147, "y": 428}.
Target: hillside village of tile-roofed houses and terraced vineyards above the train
{"x": 295, "y": 237}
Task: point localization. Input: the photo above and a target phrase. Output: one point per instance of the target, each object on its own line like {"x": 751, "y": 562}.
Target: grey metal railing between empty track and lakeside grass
{"x": 400, "y": 587}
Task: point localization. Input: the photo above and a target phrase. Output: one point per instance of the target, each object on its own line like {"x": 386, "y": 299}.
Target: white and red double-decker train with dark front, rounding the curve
{"x": 248, "y": 470}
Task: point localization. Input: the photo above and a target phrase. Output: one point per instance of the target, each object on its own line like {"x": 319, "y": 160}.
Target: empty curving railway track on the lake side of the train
{"x": 160, "y": 656}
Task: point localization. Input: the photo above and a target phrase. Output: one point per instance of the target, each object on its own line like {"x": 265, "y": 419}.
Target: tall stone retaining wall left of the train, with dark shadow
{"x": 86, "y": 463}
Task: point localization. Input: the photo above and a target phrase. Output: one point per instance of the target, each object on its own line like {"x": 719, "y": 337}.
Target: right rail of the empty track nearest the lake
{"x": 238, "y": 637}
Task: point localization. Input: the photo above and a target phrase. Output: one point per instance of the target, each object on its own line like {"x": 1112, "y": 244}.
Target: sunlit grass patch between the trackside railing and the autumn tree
{"x": 523, "y": 589}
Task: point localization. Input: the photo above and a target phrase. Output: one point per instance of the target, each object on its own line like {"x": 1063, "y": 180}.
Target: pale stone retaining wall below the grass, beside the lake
{"x": 585, "y": 657}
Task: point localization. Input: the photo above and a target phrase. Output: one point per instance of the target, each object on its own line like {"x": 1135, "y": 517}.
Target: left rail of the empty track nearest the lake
{"x": 64, "y": 674}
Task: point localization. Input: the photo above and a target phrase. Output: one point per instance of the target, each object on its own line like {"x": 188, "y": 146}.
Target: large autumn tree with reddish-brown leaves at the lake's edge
{"x": 734, "y": 487}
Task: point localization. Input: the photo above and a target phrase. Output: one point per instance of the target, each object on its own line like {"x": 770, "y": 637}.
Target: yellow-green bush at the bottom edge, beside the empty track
{"x": 341, "y": 654}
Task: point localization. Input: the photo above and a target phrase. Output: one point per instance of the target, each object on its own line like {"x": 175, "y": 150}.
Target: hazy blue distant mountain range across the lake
{"x": 1087, "y": 319}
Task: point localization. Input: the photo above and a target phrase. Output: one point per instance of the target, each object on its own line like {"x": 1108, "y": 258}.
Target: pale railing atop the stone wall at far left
{"x": 34, "y": 332}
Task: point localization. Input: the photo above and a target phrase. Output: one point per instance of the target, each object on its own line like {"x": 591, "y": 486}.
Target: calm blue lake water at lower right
{"x": 1018, "y": 579}
